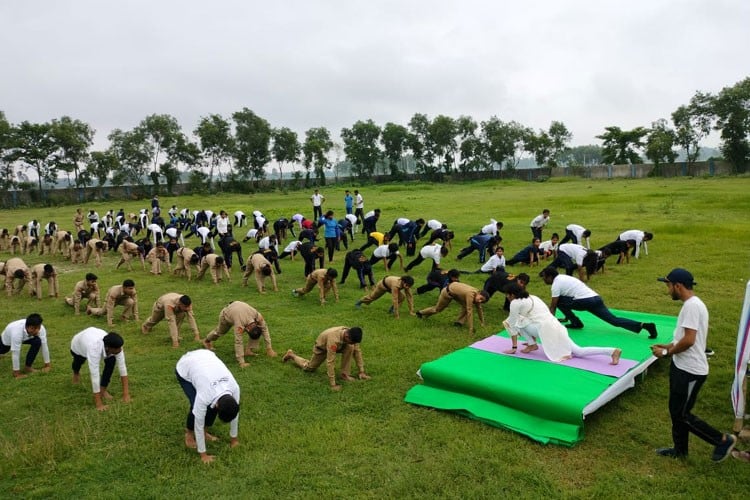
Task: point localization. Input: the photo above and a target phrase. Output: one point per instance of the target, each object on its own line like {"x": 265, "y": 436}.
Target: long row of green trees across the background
{"x": 244, "y": 145}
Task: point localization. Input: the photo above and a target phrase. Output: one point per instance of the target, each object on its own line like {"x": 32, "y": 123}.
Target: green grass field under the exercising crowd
{"x": 299, "y": 439}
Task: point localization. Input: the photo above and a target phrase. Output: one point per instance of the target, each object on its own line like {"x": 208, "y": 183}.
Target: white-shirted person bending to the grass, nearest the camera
{"x": 212, "y": 392}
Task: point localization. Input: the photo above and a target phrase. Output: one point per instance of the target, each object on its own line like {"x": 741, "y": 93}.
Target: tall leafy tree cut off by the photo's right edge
{"x": 731, "y": 106}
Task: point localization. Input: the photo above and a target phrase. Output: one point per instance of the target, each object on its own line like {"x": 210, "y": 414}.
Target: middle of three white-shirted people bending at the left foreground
{"x": 95, "y": 345}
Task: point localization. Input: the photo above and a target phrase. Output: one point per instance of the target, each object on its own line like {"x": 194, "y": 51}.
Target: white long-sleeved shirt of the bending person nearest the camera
{"x": 211, "y": 380}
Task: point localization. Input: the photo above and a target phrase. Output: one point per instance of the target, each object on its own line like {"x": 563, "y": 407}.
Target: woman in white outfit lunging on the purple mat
{"x": 531, "y": 319}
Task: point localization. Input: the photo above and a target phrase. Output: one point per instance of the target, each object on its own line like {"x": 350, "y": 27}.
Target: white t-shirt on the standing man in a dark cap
{"x": 693, "y": 315}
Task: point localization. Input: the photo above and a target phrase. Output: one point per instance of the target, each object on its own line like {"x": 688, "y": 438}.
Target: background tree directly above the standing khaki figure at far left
{"x": 73, "y": 139}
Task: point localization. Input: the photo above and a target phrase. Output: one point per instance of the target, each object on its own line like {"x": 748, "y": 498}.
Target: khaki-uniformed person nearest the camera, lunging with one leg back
{"x": 342, "y": 340}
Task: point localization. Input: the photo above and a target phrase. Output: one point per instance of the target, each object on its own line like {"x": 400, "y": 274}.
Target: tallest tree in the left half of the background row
{"x": 252, "y": 144}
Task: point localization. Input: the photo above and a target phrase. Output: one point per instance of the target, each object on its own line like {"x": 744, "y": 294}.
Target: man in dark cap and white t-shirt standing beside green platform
{"x": 688, "y": 371}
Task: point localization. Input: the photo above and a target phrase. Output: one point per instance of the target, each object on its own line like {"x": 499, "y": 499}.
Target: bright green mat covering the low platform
{"x": 544, "y": 401}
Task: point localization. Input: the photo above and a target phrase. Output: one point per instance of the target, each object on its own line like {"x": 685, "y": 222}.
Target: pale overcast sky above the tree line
{"x": 312, "y": 63}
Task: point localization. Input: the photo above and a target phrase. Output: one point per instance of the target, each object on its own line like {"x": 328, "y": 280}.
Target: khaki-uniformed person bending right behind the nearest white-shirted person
{"x": 242, "y": 318}
